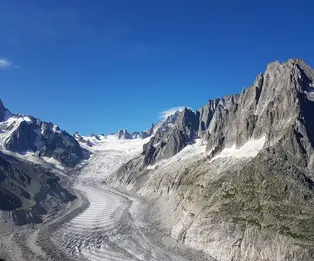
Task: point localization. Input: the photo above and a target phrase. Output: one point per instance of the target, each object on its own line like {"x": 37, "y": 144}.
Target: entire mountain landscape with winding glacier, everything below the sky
{"x": 231, "y": 181}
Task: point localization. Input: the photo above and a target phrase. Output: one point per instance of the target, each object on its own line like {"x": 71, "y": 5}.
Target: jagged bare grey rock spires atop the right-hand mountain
{"x": 260, "y": 110}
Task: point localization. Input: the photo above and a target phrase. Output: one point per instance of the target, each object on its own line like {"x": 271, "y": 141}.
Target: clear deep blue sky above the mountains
{"x": 97, "y": 66}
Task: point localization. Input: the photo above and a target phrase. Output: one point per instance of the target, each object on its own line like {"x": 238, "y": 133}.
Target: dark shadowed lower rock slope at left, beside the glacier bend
{"x": 28, "y": 191}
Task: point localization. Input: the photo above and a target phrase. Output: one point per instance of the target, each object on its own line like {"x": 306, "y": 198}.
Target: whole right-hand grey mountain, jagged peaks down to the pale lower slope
{"x": 235, "y": 178}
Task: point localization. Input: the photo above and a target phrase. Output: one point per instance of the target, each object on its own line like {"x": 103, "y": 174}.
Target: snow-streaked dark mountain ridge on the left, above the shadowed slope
{"x": 21, "y": 134}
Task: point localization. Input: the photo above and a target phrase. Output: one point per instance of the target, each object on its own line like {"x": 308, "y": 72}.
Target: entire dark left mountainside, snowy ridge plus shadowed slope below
{"x": 30, "y": 149}
